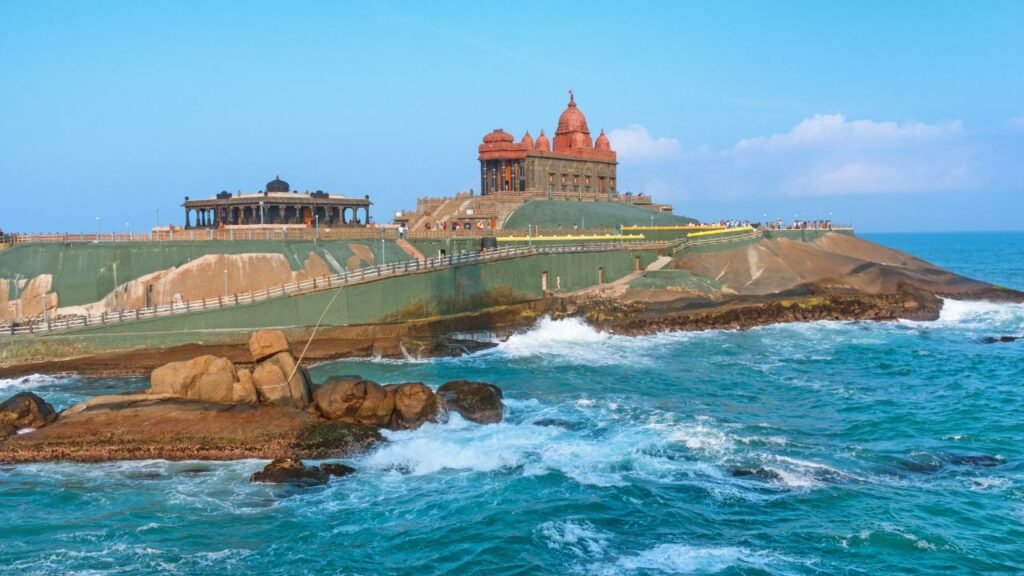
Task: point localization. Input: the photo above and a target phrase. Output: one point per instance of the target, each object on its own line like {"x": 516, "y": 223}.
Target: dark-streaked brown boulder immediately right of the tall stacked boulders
{"x": 355, "y": 400}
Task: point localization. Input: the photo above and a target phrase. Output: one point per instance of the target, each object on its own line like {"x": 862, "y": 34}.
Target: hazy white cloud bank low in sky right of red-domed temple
{"x": 826, "y": 155}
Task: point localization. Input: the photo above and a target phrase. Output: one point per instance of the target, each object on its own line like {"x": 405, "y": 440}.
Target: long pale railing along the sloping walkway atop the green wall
{"x": 367, "y": 274}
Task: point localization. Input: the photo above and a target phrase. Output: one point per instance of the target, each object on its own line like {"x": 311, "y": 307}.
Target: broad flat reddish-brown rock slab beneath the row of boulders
{"x": 142, "y": 427}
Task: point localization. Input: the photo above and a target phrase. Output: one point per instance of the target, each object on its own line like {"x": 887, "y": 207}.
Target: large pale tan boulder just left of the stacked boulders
{"x": 208, "y": 379}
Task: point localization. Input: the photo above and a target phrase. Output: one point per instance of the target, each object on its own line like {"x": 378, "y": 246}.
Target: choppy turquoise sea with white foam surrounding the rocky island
{"x": 825, "y": 448}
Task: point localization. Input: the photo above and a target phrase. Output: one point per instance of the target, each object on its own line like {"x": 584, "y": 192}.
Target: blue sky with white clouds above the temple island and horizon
{"x": 900, "y": 116}
